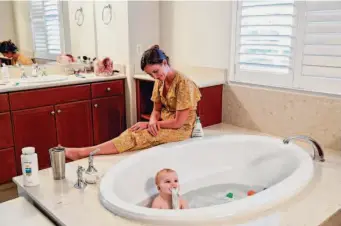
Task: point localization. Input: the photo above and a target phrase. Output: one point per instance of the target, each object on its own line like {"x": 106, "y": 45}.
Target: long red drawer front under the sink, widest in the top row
{"x": 48, "y": 96}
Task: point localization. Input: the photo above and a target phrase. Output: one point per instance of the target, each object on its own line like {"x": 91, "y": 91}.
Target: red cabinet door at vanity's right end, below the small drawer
{"x": 108, "y": 118}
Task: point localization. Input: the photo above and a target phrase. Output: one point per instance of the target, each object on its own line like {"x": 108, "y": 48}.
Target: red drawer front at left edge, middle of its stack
{"x": 6, "y": 137}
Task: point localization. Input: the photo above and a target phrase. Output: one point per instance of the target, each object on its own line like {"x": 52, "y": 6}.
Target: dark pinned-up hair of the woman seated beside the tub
{"x": 153, "y": 55}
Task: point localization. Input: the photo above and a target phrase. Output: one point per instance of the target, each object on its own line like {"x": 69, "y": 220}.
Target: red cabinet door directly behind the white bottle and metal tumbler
{"x": 35, "y": 127}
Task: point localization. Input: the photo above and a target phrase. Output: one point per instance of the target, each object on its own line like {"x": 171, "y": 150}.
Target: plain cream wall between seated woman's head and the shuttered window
{"x": 196, "y": 33}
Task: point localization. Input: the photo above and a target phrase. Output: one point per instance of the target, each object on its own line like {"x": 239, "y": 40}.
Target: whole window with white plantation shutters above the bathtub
{"x": 291, "y": 44}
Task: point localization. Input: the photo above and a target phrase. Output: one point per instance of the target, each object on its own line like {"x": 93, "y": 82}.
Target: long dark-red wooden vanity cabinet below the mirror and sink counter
{"x": 72, "y": 116}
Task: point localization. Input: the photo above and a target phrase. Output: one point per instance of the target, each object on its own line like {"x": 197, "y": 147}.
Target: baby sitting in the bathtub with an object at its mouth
{"x": 165, "y": 180}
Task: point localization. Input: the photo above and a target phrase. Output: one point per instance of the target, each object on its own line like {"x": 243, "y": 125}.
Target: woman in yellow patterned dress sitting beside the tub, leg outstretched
{"x": 175, "y": 100}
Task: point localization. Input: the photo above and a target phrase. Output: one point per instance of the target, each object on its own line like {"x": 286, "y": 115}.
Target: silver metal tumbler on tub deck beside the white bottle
{"x": 57, "y": 158}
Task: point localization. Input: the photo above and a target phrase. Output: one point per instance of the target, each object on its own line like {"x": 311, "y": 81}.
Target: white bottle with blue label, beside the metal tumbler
{"x": 29, "y": 165}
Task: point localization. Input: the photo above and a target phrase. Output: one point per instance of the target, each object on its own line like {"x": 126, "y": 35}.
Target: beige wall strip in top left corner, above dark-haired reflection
{"x": 7, "y": 25}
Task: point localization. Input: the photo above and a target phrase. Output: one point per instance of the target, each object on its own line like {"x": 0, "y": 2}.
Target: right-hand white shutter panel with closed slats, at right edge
{"x": 321, "y": 47}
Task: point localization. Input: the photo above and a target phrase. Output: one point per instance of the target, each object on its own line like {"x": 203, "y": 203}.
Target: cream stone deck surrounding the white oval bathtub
{"x": 71, "y": 207}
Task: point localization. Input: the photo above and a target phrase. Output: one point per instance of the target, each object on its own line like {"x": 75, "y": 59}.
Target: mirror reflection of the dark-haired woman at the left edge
{"x": 10, "y": 50}
